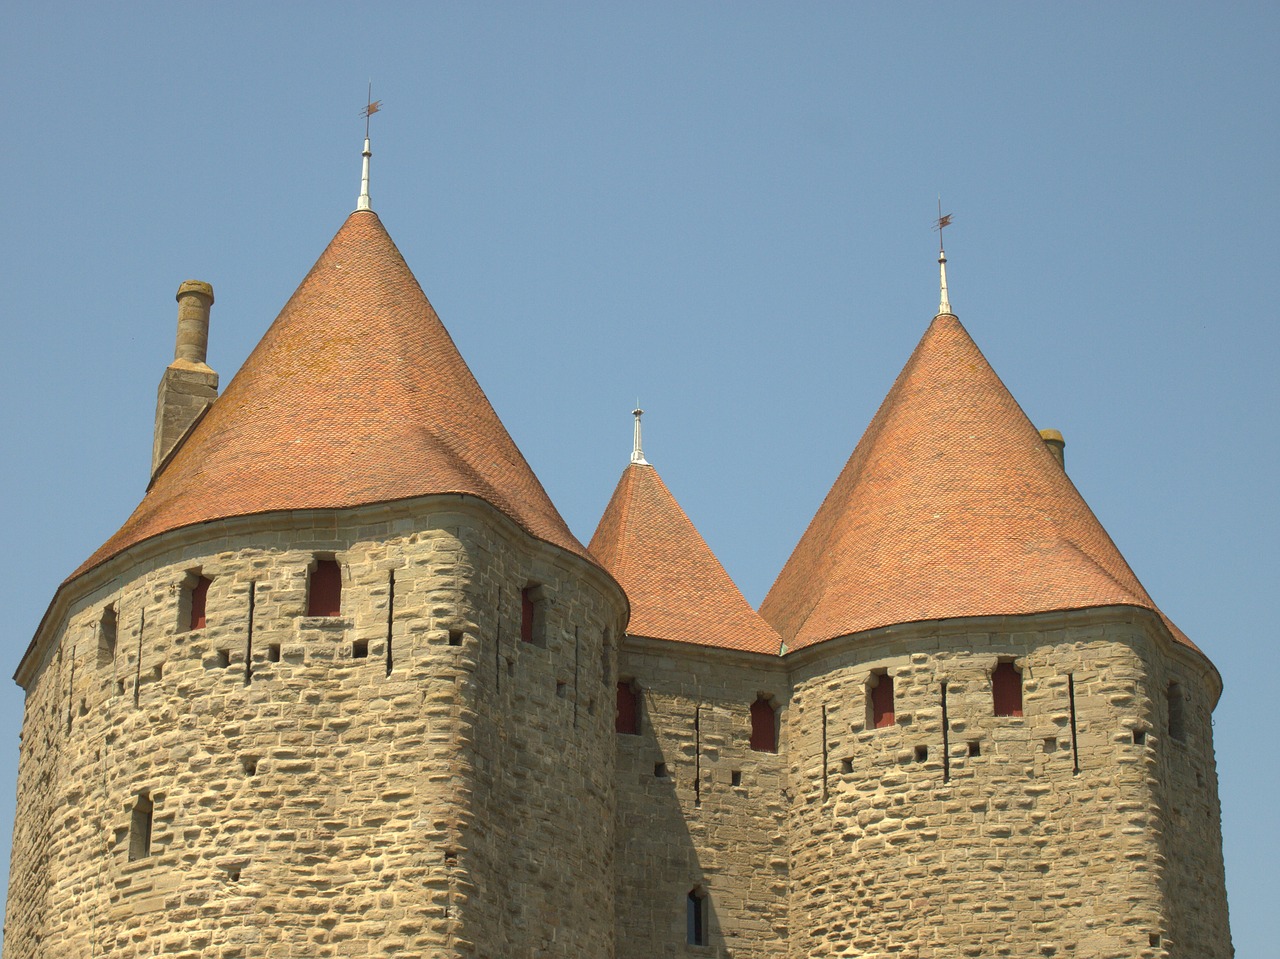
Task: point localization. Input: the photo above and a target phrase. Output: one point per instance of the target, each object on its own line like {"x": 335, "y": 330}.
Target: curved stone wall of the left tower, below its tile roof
{"x": 314, "y": 793}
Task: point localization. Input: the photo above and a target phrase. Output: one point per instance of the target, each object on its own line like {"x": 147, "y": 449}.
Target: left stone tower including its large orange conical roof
{"x": 345, "y": 633}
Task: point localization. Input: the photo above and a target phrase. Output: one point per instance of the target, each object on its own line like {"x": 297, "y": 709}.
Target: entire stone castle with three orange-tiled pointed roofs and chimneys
{"x": 345, "y": 684}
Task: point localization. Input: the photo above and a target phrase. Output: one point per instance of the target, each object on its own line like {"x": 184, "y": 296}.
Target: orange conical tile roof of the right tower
{"x": 950, "y": 506}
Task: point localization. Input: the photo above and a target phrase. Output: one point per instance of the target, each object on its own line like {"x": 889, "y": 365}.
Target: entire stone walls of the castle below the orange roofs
{"x": 413, "y": 779}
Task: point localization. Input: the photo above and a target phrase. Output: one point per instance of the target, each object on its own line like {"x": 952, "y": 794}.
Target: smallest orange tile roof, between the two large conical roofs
{"x": 678, "y": 588}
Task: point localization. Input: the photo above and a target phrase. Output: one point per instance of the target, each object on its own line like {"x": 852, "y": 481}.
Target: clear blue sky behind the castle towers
{"x": 721, "y": 209}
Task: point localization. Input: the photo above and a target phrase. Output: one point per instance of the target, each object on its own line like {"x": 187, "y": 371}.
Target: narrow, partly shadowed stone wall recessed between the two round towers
{"x": 698, "y": 809}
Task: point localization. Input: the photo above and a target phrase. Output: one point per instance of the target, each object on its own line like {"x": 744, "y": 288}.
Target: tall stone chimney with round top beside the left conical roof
{"x": 188, "y": 387}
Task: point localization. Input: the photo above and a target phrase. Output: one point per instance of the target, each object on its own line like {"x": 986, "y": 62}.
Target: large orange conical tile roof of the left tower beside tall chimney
{"x": 356, "y": 395}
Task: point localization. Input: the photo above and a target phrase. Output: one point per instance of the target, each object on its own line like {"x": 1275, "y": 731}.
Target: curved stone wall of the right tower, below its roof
{"x": 1045, "y": 834}
